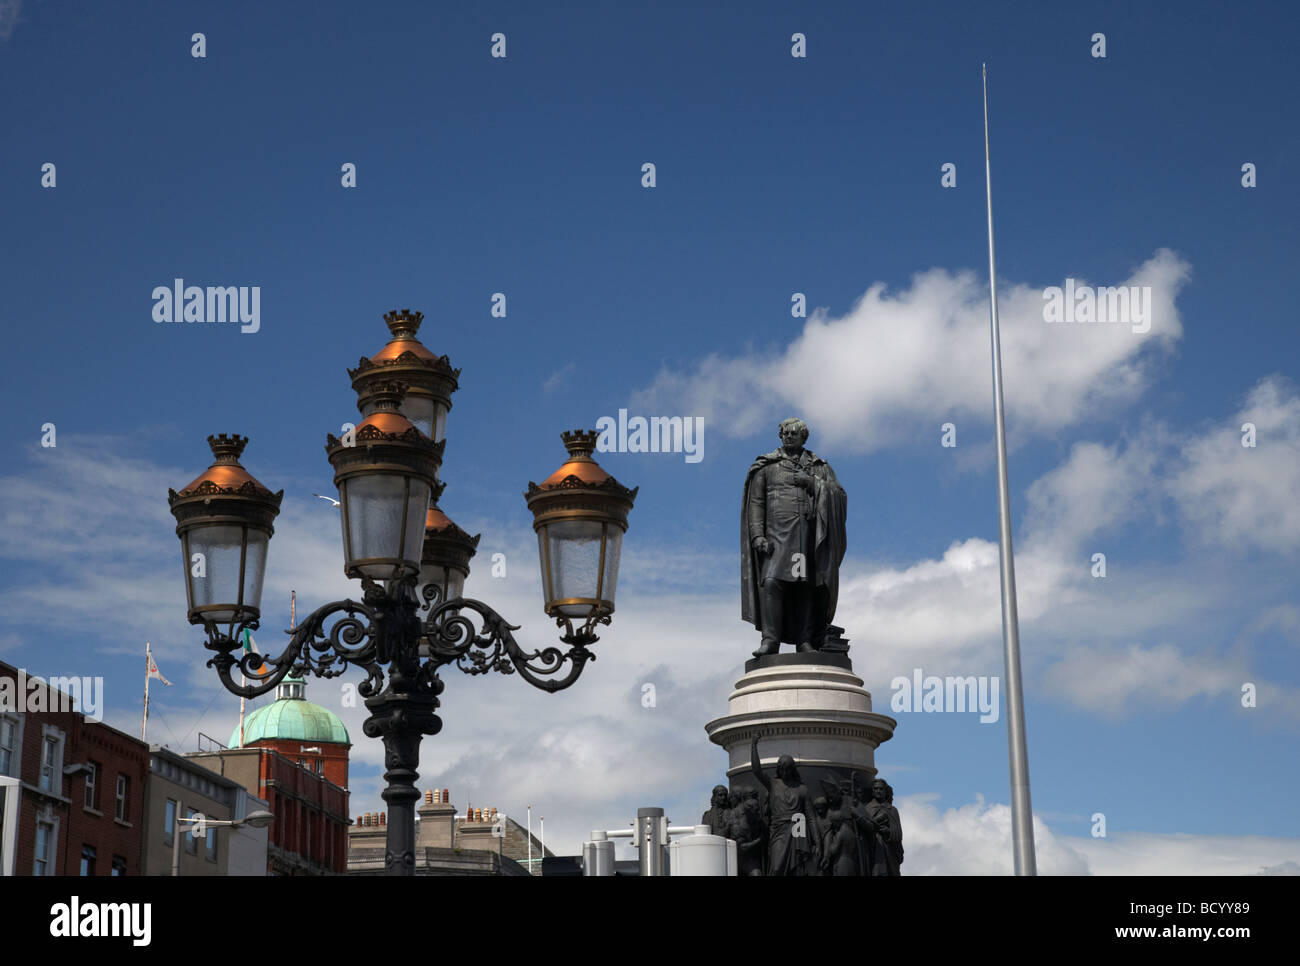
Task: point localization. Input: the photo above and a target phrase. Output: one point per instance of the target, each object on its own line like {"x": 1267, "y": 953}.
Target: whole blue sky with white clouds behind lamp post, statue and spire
{"x": 774, "y": 176}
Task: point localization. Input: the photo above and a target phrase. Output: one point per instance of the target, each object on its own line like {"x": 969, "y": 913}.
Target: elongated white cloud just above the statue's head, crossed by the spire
{"x": 915, "y": 359}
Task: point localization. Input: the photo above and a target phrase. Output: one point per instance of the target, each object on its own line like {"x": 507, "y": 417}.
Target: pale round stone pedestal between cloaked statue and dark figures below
{"x": 811, "y": 707}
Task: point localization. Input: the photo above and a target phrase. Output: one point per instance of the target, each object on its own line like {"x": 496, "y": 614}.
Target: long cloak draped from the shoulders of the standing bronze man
{"x": 831, "y": 510}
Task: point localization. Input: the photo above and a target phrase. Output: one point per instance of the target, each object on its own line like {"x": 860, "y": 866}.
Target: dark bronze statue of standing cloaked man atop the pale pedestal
{"x": 792, "y": 544}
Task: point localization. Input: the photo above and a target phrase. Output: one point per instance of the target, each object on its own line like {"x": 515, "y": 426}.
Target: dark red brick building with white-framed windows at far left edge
{"x": 76, "y": 800}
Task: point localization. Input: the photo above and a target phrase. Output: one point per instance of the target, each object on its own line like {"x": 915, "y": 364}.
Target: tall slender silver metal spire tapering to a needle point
{"x": 1022, "y": 812}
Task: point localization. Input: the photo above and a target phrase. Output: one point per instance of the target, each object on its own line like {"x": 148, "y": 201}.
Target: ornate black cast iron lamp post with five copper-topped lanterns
{"x": 387, "y": 478}
